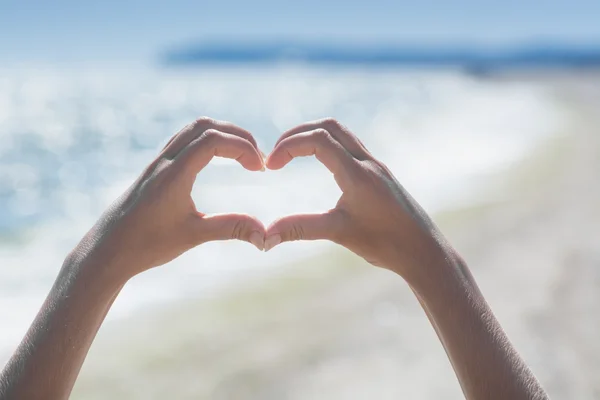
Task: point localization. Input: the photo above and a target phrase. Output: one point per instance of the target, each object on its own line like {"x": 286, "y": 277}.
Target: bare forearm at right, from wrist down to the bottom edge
{"x": 485, "y": 362}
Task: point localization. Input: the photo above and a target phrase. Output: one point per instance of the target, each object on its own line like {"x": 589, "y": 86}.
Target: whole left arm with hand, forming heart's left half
{"x": 153, "y": 222}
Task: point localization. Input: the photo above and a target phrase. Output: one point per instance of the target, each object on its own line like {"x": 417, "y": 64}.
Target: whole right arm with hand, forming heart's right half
{"x": 378, "y": 220}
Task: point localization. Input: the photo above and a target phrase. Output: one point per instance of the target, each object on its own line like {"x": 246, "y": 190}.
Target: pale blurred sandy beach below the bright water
{"x": 335, "y": 327}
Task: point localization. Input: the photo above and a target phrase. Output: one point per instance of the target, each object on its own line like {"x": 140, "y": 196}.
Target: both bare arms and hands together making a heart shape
{"x": 156, "y": 220}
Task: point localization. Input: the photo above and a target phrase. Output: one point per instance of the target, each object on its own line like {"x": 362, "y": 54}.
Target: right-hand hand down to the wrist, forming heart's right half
{"x": 375, "y": 217}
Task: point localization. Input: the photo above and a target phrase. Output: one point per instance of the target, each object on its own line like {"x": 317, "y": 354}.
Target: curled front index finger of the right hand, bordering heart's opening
{"x": 320, "y": 144}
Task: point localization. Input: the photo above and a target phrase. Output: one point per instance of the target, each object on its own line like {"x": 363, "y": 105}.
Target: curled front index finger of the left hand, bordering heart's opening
{"x": 215, "y": 143}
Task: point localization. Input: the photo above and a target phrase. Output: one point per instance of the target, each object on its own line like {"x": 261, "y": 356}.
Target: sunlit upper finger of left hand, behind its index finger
{"x": 194, "y": 130}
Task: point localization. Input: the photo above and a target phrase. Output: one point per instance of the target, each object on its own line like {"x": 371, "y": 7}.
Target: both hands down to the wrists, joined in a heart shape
{"x": 156, "y": 220}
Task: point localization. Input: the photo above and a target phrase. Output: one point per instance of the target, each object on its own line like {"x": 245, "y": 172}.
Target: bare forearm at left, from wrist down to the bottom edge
{"x": 50, "y": 356}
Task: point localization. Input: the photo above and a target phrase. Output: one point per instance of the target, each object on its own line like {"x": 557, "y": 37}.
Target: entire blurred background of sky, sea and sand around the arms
{"x": 489, "y": 114}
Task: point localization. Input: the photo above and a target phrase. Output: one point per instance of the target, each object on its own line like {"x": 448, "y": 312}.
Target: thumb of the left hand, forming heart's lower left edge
{"x": 230, "y": 226}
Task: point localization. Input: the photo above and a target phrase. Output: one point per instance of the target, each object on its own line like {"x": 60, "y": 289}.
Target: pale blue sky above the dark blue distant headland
{"x": 112, "y": 30}
